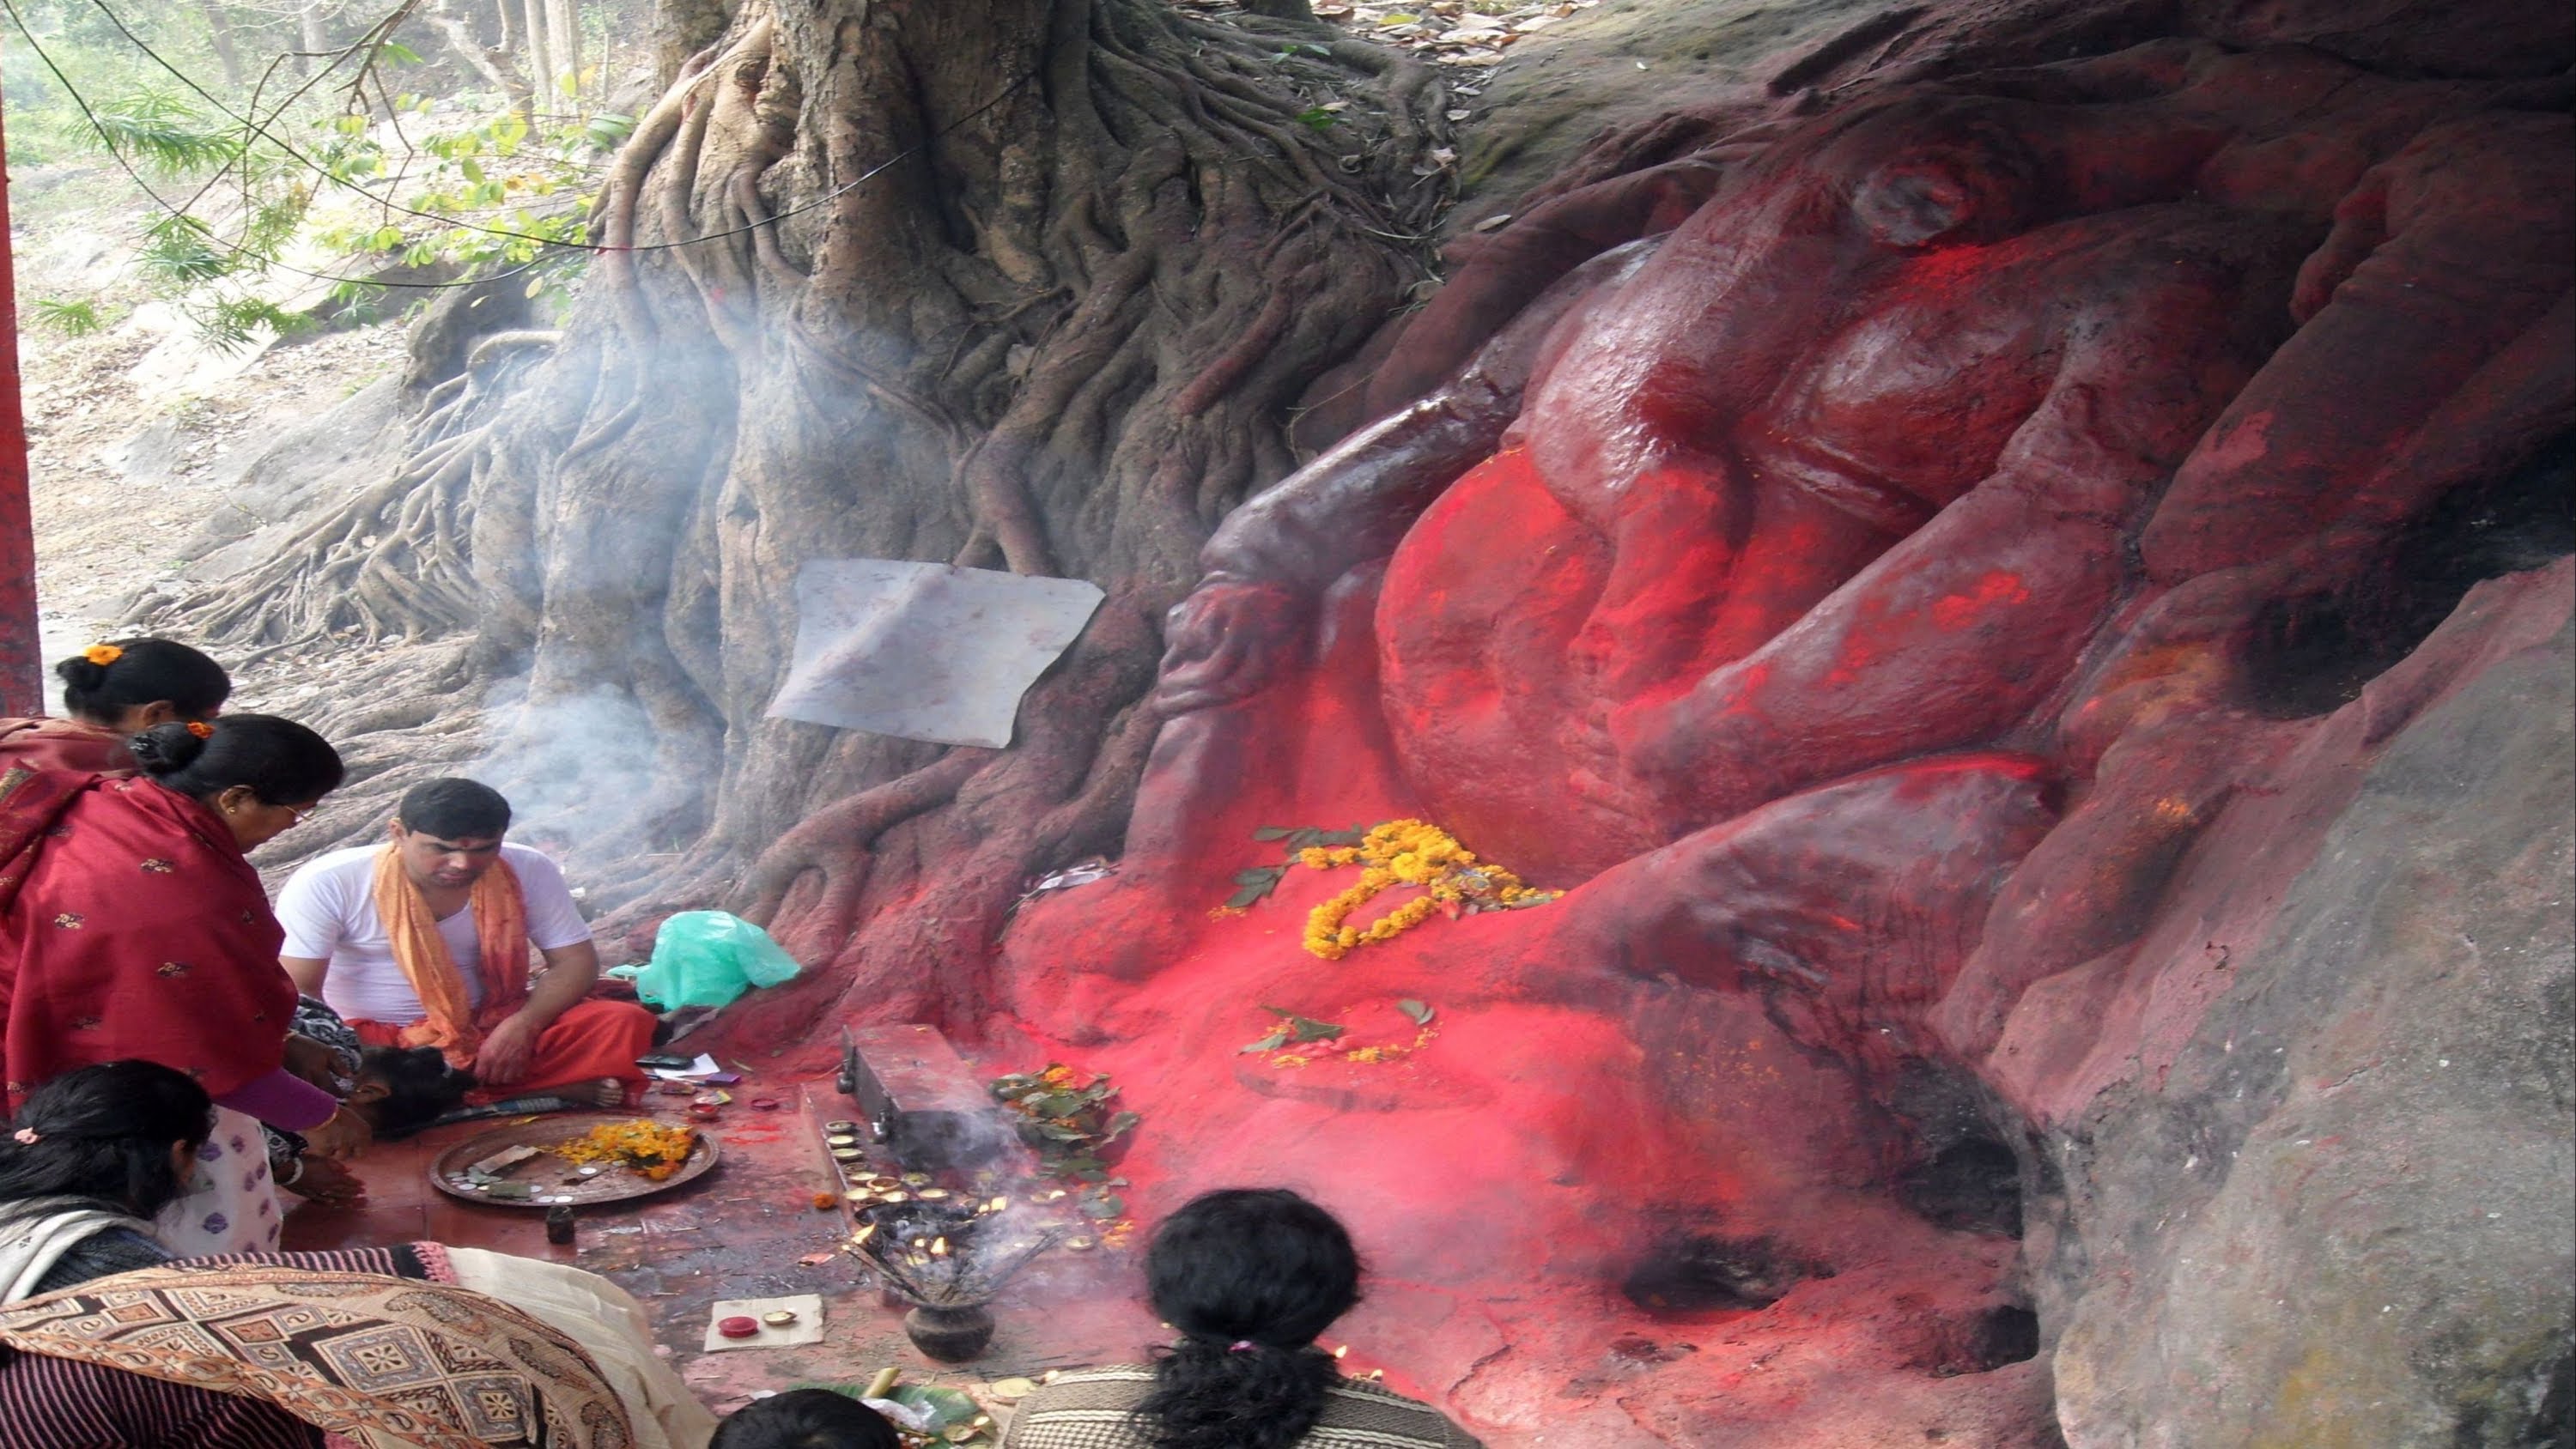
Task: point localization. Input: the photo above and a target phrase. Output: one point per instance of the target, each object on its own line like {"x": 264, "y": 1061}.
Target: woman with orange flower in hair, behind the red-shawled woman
{"x": 109, "y": 694}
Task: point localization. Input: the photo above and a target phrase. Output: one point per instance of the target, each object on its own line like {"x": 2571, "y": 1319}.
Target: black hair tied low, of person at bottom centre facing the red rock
{"x": 1251, "y": 1278}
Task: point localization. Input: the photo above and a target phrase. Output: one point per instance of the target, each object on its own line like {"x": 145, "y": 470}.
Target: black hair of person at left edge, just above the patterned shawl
{"x": 104, "y": 1134}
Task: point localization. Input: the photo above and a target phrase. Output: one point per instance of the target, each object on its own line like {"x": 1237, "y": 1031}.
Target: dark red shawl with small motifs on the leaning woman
{"x": 133, "y": 928}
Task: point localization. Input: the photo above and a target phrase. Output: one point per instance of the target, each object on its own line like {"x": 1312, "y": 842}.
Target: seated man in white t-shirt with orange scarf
{"x": 426, "y": 943}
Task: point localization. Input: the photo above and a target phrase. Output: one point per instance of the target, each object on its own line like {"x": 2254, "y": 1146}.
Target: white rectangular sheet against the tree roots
{"x": 926, "y": 650}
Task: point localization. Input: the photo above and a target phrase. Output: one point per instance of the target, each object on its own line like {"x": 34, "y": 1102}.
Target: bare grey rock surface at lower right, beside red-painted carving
{"x": 2338, "y": 1216}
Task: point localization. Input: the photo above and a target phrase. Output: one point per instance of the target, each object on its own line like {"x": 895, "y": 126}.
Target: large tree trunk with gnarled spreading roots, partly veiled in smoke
{"x": 1060, "y": 328}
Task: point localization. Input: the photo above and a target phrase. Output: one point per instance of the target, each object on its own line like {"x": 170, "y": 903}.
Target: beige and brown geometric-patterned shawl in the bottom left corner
{"x": 380, "y": 1360}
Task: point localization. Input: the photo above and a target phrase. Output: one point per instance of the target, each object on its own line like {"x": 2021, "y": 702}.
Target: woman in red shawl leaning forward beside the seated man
{"x": 135, "y": 928}
